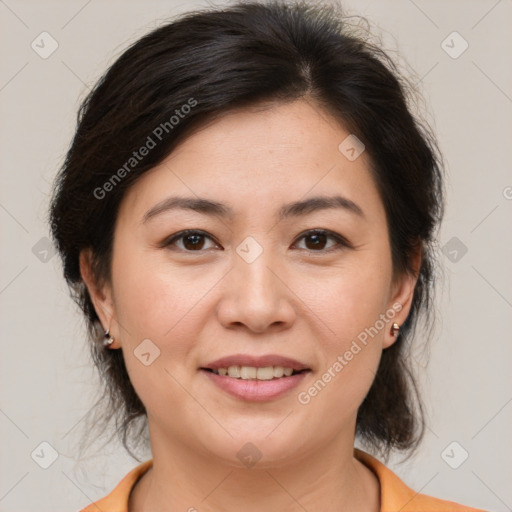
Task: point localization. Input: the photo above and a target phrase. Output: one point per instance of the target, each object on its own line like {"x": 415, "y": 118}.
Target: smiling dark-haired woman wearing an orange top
{"x": 246, "y": 217}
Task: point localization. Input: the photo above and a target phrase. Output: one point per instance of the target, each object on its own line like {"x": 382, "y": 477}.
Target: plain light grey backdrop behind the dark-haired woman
{"x": 47, "y": 380}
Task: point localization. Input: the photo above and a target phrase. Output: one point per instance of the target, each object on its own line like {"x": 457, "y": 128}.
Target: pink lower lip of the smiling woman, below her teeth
{"x": 255, "y": 390}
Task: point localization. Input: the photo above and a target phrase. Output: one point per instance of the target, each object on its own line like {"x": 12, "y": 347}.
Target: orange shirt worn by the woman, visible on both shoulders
{"x": 395, "y": 496}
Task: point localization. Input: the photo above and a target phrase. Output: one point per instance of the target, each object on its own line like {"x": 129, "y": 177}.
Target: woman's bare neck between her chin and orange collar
{"x": 183, "y": 479}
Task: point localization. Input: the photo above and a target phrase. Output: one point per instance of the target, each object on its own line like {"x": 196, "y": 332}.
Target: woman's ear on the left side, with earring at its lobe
{"x": 101, "y": 296}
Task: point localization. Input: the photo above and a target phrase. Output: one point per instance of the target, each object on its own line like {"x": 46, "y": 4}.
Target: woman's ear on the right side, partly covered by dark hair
{"x": 402, "y": 295}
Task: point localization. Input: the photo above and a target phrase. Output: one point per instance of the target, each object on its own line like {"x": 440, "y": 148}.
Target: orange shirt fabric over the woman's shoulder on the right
{"x": 397, "y": 496}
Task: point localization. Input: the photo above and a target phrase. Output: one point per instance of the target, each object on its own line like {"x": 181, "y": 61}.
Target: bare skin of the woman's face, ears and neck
{"x": 296, "y": 299}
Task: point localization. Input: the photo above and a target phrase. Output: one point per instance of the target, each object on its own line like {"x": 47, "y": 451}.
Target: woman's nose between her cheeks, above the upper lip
{"x": 256, "y": 295}
